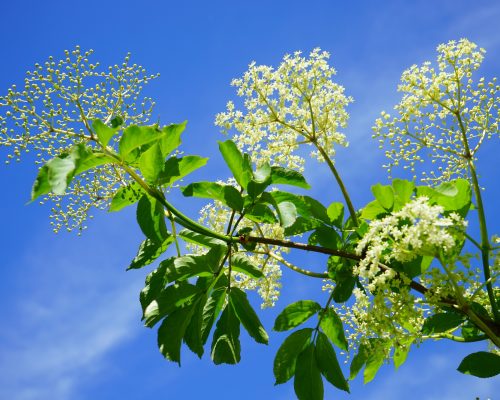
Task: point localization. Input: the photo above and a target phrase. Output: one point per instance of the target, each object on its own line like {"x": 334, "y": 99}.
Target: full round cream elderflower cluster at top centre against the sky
{"x": 295, "y": 103}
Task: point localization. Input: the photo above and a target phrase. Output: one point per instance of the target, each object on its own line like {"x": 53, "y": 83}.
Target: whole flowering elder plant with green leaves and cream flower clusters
{"x": 402, "y": 269}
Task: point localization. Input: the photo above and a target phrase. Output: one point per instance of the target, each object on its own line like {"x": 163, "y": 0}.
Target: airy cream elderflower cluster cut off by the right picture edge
{"x": 444, "y": 115}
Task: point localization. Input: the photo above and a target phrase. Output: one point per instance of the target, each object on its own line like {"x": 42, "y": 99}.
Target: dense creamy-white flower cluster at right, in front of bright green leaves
{"x": 418, "y": 229}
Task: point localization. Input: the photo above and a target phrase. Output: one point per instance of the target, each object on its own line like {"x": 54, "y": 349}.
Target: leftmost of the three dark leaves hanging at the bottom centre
{"x": 286, "y": 357}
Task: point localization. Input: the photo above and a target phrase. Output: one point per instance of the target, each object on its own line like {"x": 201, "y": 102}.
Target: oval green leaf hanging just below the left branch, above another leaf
{"x": 151, "y": 219}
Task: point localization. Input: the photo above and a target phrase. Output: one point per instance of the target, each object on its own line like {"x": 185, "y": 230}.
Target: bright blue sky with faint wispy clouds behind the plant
{"x": 71, "y": 318}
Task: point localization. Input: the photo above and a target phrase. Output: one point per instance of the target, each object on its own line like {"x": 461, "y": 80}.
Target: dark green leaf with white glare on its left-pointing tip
{"x": 167, "y": 301}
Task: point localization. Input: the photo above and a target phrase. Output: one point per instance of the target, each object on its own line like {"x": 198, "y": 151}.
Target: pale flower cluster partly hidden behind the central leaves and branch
{"x": 216, "y": 216}
